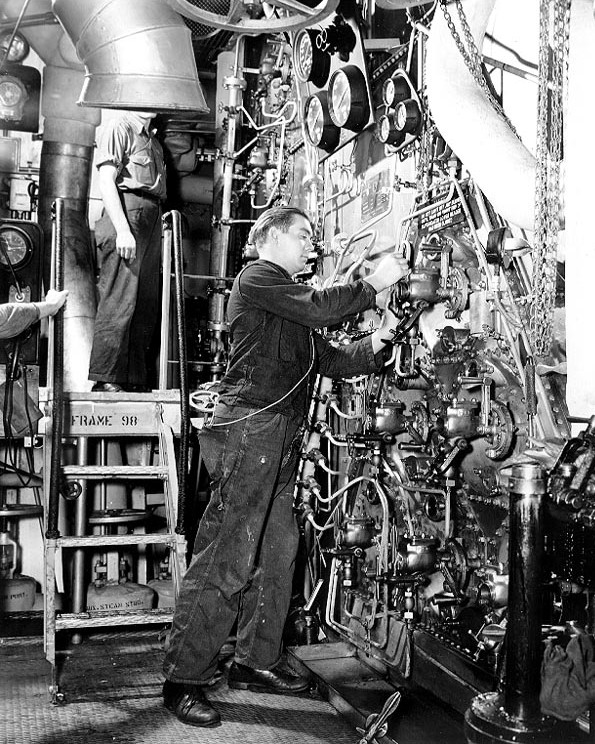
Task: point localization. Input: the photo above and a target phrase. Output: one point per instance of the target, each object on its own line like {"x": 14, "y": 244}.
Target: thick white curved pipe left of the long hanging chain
{"x": 502, "y": 167}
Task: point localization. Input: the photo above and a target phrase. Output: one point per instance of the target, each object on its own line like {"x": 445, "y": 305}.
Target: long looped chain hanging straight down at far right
{"x": 553, "y": 66}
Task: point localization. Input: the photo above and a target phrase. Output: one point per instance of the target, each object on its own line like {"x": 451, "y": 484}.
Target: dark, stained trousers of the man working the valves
{"x": 245, "y": 549}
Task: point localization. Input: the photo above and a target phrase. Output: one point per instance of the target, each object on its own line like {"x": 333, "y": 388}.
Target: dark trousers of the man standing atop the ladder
{"x": 128, "y": 306}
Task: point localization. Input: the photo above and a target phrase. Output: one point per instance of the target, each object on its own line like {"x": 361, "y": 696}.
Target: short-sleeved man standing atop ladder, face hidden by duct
{"x": 128, "y": 236}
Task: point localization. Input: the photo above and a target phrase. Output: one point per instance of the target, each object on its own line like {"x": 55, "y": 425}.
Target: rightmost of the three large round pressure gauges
{"x": 348, "y": 98}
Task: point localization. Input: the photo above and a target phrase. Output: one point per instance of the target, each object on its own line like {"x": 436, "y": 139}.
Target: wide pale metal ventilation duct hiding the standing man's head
{"x": 137, "y": 54}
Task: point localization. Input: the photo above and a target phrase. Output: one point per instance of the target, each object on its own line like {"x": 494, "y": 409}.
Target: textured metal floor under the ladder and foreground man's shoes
{"x": 113, "y": 688}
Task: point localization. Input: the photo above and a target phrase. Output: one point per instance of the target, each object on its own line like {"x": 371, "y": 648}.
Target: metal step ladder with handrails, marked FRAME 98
{"x": 160, "y": 415}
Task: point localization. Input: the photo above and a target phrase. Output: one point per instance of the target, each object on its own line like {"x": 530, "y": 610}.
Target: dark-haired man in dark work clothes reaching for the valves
{"x": 247, "y": 540}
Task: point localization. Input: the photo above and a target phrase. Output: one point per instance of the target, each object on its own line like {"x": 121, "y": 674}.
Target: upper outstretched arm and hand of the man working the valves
{"x": 265, "y": 286}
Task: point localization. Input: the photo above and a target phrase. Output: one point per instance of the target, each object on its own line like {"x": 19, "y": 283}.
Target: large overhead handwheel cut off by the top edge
{"x": 278, "y": 15}
